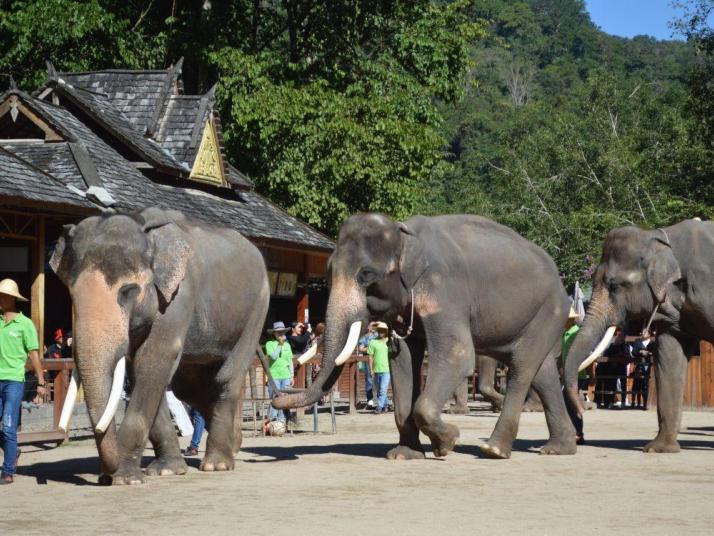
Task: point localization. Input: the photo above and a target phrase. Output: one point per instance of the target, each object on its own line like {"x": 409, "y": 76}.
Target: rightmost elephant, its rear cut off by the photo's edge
{"x": 671, "y": 267}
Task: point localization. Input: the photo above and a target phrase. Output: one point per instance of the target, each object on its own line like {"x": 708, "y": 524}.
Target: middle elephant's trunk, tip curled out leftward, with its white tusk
{"x": 346, "y": 310}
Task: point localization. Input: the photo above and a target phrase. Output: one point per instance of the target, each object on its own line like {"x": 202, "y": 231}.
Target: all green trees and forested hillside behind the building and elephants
{"x": 519, "y": 110}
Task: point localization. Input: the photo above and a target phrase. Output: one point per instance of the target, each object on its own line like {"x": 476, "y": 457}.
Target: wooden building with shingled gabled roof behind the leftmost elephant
{"x": 124, "y": 140}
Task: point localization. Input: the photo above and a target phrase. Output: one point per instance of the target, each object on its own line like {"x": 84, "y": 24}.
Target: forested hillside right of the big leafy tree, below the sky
{"x": 570, "y": 131}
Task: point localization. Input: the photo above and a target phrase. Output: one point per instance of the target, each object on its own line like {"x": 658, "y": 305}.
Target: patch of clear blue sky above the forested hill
{"x": 628, "y": 18}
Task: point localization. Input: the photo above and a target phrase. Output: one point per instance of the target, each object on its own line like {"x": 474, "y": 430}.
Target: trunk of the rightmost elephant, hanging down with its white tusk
{"x": 593, "y": 338}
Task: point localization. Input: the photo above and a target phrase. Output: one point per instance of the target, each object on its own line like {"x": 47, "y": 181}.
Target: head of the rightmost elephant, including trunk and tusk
{"x": 637, "y": 274}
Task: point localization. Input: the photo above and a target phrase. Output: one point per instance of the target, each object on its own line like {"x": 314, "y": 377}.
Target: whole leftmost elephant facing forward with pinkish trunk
{"x": 152, "y": 287}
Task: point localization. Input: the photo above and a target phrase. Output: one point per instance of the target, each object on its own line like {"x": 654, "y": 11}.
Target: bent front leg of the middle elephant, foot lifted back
{"x": 451, "y": 356}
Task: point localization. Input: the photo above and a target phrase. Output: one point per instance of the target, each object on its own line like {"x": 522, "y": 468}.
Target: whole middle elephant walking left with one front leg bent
{"x": 473, "y": 293}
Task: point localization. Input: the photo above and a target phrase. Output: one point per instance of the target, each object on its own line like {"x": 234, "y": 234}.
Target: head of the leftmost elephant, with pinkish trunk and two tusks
{"x": 121, "y": 272}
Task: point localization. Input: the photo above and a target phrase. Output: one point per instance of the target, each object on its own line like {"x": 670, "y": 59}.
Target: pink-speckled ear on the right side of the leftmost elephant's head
{"x": 170, "y": 256}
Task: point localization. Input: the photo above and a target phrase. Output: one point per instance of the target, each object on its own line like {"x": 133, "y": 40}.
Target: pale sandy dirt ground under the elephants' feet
{"x": 342, "y": 485}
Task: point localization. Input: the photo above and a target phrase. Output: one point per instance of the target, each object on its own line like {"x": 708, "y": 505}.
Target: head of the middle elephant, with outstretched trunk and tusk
{"x": 376, "y": 263}
